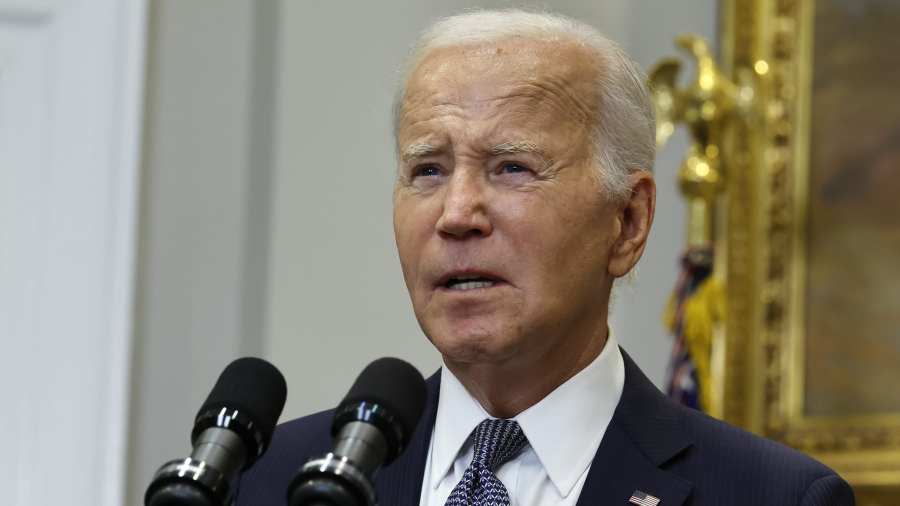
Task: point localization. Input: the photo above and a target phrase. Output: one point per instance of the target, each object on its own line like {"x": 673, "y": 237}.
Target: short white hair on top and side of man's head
{"x": 624, "y": 127}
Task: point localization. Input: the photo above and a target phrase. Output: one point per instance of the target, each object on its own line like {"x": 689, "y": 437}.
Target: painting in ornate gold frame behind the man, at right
{"x": 811, "y": 235}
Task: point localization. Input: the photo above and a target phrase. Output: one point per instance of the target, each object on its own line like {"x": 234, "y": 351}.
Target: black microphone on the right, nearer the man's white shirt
{"x": 371, "y": 428}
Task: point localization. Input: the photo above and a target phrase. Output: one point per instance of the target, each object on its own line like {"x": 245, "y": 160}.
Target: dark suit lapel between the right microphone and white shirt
{"x": 400, "y": 483}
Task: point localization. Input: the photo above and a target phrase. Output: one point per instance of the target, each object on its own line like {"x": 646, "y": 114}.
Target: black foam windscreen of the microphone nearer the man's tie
{"x": 394, "y": 384}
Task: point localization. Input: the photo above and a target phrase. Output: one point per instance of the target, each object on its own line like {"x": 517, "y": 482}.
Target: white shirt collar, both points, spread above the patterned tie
{"x": 564, "y": 428}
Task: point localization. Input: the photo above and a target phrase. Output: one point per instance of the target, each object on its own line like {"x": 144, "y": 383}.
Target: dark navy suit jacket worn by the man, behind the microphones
{"x": 677, "y": 454}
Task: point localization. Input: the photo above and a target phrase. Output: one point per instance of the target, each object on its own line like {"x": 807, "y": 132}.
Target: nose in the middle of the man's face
{"x": 464, "y": 214}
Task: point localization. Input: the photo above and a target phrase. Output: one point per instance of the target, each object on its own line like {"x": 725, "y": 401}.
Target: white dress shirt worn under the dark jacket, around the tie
{"x": 564, "y": 430}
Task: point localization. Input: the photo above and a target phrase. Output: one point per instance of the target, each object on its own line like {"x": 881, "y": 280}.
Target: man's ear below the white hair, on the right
{"x": 635, "y": 218}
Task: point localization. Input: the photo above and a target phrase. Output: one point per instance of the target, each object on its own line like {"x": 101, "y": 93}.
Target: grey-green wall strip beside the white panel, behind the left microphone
{"x": 203, "y": 238}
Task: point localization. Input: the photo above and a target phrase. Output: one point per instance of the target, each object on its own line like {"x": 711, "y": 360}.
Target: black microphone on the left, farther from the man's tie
{"x": 231, "y": 431}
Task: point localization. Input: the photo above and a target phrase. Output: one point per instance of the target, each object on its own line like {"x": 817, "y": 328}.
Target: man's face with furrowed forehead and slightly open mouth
{"x": 503, "y": 232}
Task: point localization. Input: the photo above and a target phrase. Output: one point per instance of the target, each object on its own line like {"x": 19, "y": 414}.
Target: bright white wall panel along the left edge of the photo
{"x": 71, "y": 75}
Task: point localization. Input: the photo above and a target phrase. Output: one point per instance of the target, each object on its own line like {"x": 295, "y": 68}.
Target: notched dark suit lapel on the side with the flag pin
{"x": 644, "y": 434}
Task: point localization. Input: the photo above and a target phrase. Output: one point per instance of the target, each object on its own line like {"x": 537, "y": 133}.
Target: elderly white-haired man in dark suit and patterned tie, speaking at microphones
{"x": 525, "y": 143}
